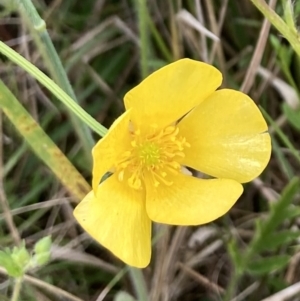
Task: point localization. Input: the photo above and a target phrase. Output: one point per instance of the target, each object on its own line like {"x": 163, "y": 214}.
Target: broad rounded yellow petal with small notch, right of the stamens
{"x": 228, "y": 137}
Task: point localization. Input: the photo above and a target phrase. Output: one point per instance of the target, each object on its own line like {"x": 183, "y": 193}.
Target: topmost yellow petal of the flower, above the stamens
{"x": 172, "y": 91}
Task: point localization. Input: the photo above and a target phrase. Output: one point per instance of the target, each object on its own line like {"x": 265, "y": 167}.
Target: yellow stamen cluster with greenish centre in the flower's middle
{"x": 152, "y": 157}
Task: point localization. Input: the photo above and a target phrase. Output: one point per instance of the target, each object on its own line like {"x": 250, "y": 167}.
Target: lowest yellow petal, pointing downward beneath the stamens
{"x": 117, "y": 219}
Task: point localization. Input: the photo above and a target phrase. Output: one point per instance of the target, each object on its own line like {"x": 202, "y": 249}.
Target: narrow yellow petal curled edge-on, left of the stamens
{"x": 109, "y": 148}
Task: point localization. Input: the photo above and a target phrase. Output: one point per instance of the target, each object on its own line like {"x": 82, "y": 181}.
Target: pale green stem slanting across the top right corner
{"x": 289, "y": 33}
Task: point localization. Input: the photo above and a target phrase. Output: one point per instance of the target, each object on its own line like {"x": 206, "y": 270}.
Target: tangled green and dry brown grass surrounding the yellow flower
{"x": 106, "y": 47}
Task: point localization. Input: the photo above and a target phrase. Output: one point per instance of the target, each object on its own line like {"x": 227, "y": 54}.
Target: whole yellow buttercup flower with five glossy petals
{"x": 174, "y": 119}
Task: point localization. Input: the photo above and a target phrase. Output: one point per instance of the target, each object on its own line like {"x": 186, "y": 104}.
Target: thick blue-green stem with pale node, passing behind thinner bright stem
{"x": 55, "y": 66}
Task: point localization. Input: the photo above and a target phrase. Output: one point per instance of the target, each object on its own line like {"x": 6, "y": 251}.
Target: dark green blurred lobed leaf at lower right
{"x": 268, "y": 239}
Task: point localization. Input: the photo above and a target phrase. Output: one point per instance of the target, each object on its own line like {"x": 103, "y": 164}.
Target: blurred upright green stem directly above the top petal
{"x": 141, "y": 6}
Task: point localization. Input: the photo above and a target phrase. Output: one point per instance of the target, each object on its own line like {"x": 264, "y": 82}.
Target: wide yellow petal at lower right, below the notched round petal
{"x": 191, "y": 201}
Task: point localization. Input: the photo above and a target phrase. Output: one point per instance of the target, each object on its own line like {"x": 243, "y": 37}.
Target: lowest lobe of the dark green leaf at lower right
{"x": 267, "y": 265}
